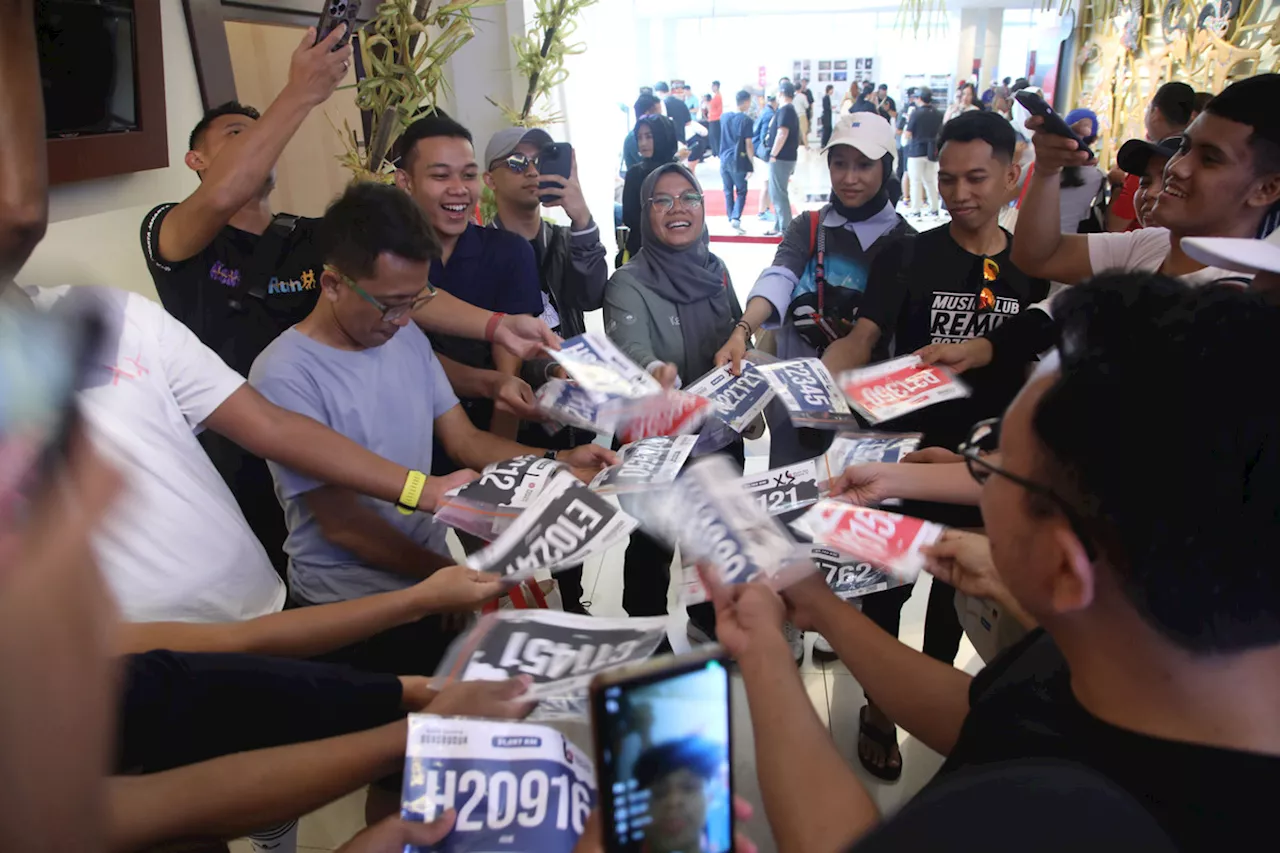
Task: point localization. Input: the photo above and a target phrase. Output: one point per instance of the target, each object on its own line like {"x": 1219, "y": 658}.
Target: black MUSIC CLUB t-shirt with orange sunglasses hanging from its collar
{"x": 926, "y": 289}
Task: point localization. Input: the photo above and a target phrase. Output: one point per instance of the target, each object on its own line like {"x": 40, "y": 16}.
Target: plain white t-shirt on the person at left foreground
{"x": 176, "y": 546}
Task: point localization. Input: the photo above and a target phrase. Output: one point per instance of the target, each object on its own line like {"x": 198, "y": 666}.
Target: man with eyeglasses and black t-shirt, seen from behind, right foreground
{"x": 1156, "y": 677}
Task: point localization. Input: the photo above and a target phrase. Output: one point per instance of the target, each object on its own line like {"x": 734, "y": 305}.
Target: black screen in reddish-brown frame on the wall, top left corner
{"x": 102, "y": 69}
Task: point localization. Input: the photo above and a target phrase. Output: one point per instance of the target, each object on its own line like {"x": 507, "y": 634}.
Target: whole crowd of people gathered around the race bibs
{"x": 208, "y": 637}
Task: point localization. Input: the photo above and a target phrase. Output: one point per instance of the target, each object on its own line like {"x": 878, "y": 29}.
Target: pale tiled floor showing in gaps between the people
{"x": 836, "y": 696}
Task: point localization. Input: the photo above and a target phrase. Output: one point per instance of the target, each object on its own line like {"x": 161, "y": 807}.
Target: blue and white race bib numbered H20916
{"x": 515, "y": 786}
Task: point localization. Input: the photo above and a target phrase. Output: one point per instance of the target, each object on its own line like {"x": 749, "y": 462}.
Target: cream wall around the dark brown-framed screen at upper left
{"x": 94, "y": 226}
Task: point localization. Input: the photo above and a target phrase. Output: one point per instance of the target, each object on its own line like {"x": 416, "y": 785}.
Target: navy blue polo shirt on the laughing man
{"x": 496, "y": 271}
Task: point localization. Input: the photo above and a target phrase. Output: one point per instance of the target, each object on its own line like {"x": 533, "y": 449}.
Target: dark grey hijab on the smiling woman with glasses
{"x": 692, "y": 277}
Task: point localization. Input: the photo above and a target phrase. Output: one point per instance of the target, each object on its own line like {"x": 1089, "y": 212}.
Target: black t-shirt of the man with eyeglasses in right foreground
{"x": 1206, "y": 799}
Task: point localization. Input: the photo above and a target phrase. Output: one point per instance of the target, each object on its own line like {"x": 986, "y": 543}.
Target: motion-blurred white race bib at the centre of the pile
{"x": 710, "y": 517}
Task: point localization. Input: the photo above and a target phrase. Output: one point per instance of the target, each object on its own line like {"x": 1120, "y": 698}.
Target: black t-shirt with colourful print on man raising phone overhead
{"x": 198, "y": 291}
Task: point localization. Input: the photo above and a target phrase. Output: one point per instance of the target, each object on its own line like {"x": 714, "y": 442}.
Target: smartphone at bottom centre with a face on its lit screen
{"x": 665, "y": 754}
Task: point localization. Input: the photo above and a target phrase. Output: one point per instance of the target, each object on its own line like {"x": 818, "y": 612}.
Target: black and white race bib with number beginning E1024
{"x": 566, "y": 523}
